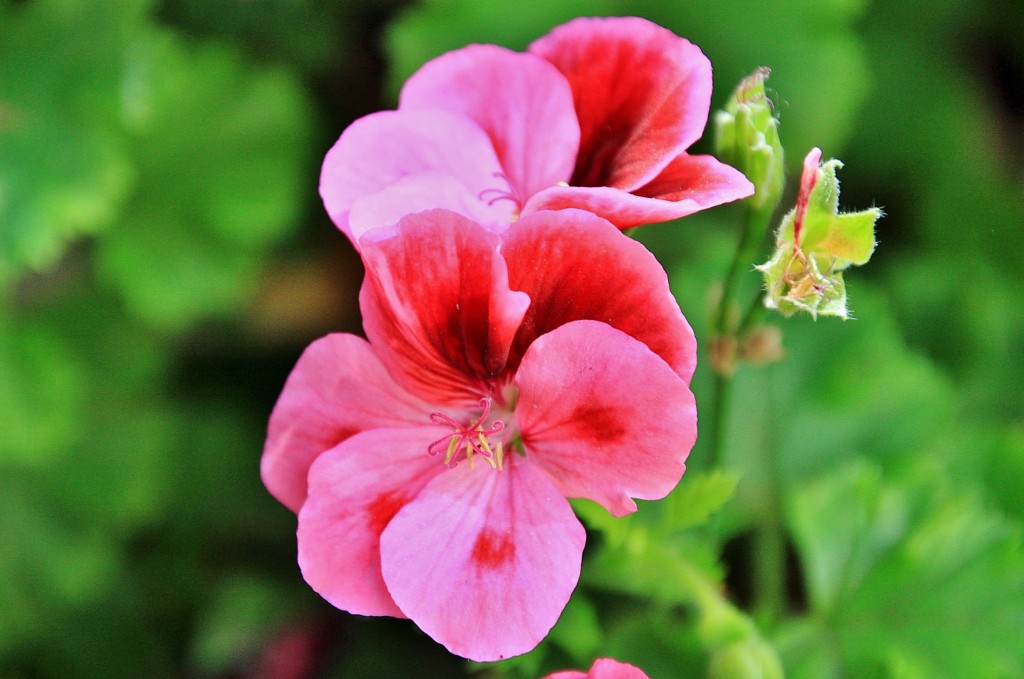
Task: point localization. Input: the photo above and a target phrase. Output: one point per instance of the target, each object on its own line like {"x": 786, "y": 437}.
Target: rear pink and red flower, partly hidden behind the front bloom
{"x": 599, "y": 115}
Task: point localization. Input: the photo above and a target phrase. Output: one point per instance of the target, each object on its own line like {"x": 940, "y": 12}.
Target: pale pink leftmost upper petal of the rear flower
{"x": 378, "y": 150}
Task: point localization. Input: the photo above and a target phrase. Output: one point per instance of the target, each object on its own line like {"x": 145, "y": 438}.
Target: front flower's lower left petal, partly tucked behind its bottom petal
{"x": 355, "y": 492}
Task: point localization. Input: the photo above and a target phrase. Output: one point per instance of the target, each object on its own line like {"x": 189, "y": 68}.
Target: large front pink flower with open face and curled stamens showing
{"x": 504, "y": 373}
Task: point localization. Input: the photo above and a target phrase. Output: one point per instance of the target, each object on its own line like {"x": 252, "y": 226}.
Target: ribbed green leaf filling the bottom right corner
{"x": 911, "y": 576}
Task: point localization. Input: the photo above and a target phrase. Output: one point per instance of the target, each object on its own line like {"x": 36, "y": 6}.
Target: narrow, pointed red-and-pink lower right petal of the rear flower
{"x": 689, "y": 185}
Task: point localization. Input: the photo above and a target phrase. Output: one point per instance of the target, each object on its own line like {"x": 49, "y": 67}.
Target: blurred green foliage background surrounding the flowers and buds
{"x": 164, "y": 261}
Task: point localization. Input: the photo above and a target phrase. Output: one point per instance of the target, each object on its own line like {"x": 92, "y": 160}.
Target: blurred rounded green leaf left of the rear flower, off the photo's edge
{"x": 222, "y": 149}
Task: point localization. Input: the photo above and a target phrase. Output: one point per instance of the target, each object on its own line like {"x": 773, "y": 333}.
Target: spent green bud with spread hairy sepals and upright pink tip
{"x": 816, "y": 244}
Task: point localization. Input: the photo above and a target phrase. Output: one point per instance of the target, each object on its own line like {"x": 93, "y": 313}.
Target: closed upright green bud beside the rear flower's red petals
{"x": 747, "y": 138}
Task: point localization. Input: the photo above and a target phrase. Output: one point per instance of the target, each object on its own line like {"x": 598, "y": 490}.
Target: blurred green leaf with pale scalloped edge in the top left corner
{"x": 64, "y": 169}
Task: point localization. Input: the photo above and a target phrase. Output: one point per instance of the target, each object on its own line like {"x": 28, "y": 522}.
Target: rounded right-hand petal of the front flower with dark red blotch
{"x": 606, "y": 417}
